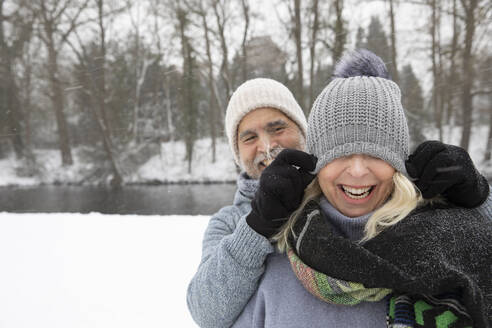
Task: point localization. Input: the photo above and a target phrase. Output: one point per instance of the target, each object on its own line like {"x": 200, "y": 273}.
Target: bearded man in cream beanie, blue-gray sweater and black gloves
{"x": 261, "y": 119}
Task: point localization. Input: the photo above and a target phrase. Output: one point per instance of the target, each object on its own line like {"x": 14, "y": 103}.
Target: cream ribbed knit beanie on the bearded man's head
{"x": 259, "y": 93}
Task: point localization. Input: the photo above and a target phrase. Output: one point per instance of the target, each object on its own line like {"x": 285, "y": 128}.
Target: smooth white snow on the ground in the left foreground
{"x": 93, "y": 270}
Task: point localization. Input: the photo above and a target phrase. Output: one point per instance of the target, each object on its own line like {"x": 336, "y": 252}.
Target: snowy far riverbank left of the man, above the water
{"x": 170, "y": 168}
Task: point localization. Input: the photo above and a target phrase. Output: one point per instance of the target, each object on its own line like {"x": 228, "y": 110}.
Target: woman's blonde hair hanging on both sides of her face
{"x": 404, "y": 198}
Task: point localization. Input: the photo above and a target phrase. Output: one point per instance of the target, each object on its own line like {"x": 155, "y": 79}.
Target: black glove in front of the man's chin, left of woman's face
{"x": 280, "y": 191}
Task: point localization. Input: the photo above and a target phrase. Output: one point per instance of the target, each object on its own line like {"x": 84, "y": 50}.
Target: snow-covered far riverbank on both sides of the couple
{"x": 171, "y": 167}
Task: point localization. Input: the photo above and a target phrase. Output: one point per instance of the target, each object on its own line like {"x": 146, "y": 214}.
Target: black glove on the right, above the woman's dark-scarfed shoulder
{"x": 447, "y": 170}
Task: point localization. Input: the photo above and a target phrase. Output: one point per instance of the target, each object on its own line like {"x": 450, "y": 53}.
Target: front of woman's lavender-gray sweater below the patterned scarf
{"x": 282, "y": 302}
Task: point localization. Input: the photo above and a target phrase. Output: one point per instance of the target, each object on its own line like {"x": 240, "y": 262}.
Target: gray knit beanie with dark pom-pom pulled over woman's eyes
{"x": 359, "y": 112}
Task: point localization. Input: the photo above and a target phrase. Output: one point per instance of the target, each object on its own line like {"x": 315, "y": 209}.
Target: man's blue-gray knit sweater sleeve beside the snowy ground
{"x": 232, "y": 263}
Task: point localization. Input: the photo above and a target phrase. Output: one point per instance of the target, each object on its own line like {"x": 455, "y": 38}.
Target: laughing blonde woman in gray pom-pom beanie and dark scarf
{"x": 362, "y": 241}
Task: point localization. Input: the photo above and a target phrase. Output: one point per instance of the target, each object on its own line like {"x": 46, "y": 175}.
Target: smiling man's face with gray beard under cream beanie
{"x": 262, "y": 134}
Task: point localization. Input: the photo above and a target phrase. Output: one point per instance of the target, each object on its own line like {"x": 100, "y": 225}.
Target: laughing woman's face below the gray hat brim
{"x": 357, "y": 184}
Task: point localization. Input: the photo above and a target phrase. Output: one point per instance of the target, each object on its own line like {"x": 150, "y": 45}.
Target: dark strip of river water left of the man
{"x": 190, "y": 199}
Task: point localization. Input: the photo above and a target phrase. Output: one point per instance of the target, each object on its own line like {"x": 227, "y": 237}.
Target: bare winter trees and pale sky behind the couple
{"x": 107, "y": 86}
